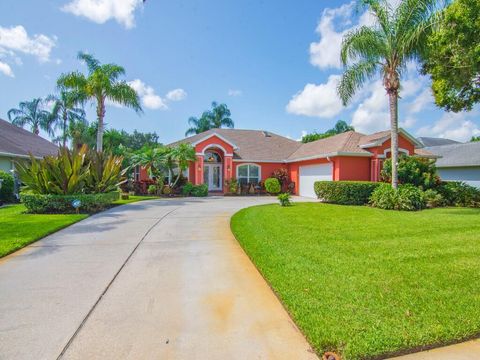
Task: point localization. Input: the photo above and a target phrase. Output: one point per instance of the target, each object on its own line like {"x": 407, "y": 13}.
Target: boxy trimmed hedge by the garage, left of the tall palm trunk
{"x": 345, "y": 192}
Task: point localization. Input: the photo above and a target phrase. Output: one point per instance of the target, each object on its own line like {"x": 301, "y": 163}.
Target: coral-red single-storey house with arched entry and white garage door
{"x": 251, "y": 156}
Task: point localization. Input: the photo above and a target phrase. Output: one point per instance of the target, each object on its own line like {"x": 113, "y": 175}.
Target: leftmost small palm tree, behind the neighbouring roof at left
{"x": 31, "y": 113}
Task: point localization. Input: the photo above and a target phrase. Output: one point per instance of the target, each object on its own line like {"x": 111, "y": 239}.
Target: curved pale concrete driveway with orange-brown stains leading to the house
{"x": 162, "y": 279}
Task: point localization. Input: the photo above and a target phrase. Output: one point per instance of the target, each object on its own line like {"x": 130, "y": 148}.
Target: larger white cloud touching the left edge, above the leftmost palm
{"x": 16, "y": 39}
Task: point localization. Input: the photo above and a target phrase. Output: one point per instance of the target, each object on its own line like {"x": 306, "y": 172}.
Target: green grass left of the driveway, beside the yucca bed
{"x": 18, "y": 229}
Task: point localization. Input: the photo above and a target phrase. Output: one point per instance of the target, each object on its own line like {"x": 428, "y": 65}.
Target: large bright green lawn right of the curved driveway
{"x": 369, "y": 283}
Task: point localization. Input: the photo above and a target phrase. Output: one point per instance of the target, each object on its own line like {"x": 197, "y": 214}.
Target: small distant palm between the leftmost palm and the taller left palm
{"x": 65, "y": 111}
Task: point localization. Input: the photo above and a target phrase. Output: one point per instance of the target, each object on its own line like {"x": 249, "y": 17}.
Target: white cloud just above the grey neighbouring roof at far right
{"x": 454, "y": 126}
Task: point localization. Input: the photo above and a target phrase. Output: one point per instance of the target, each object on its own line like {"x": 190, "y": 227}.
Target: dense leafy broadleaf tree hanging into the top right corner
{"x": 452, "y": 57}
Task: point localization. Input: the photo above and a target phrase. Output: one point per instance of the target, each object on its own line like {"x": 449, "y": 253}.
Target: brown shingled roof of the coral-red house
{"x": 258, "y": 145}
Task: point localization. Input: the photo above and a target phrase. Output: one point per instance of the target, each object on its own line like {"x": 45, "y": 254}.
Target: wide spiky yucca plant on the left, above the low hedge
{"x": 63, "y": 174}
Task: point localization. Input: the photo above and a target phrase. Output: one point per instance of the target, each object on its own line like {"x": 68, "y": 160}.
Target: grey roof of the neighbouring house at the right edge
{"x": 456, "y": 155}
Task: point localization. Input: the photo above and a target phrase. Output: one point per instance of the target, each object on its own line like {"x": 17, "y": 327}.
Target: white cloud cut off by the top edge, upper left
{"x": 100, "y": 11}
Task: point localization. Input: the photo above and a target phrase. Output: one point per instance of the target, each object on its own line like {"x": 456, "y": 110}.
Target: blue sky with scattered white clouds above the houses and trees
{"x": 274, "y": 63}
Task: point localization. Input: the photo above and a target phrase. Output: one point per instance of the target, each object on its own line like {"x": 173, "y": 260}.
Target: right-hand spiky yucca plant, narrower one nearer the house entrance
{"x": 105, "y": 172}
